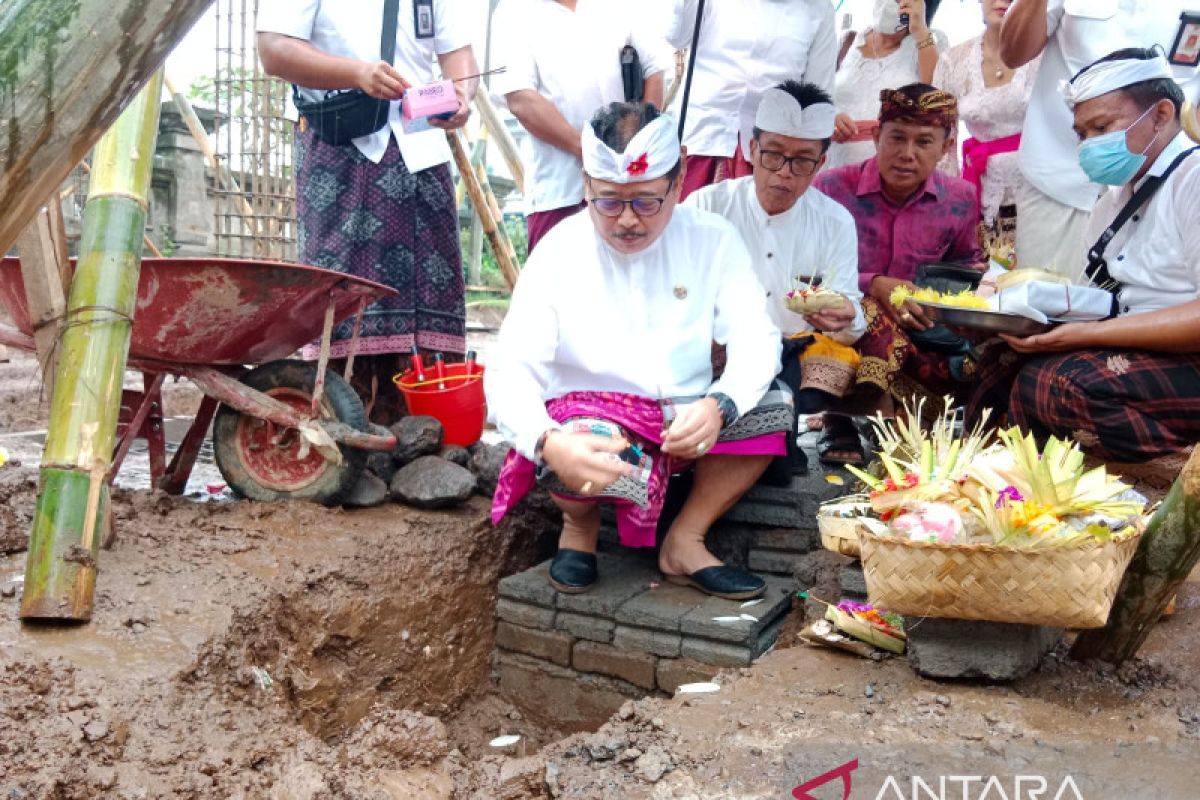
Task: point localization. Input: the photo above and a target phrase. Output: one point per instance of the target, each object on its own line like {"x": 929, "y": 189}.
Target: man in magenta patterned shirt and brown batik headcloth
{"x": 908, "y": 214}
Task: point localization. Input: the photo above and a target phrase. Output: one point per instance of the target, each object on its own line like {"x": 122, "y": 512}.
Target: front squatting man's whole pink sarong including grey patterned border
{"x": 760, "y": 432}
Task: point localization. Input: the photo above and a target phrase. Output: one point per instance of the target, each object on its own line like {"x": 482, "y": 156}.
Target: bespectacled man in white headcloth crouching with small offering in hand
{"x": 800, "y": 239}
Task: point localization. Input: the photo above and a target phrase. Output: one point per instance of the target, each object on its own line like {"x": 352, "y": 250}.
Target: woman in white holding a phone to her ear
{"x": 886, "y": 56}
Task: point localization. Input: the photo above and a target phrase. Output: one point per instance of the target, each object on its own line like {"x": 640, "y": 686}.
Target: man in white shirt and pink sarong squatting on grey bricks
{"x": 611, "y": 327}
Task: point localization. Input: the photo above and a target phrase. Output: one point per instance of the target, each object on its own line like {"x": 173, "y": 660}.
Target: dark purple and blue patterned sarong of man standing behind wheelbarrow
{"x": 387, "y": 225}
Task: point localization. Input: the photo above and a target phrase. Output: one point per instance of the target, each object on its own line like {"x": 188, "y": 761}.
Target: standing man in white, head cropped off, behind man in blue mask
{"x": 1072, "y": 34}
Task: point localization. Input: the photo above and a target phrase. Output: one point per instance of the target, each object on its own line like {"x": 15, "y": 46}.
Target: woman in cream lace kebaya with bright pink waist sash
{"x": 992, "y": 105}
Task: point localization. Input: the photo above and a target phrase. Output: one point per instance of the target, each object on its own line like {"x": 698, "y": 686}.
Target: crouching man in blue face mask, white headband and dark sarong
{"x": 1127, "y": 388}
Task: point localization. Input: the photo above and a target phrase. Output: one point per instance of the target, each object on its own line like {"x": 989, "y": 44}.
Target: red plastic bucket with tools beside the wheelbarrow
{"x": 460, "y": 407}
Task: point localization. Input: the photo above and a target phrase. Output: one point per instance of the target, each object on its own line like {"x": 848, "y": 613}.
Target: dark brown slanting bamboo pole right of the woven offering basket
{"x": 1167, "y": 555}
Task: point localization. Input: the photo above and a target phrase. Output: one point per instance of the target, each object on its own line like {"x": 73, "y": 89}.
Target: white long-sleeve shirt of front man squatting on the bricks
{"x": 586, "y": 318}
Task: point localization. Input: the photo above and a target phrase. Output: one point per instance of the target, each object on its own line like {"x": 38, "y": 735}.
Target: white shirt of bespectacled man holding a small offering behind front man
{"x": 814, "y": 238}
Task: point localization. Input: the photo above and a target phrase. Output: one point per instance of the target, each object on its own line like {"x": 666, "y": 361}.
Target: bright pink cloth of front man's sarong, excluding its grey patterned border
{"x": 643, "y": 417}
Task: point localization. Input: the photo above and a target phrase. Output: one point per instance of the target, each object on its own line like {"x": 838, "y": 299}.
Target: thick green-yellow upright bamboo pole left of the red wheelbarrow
{"x": 61, "y": 573}
